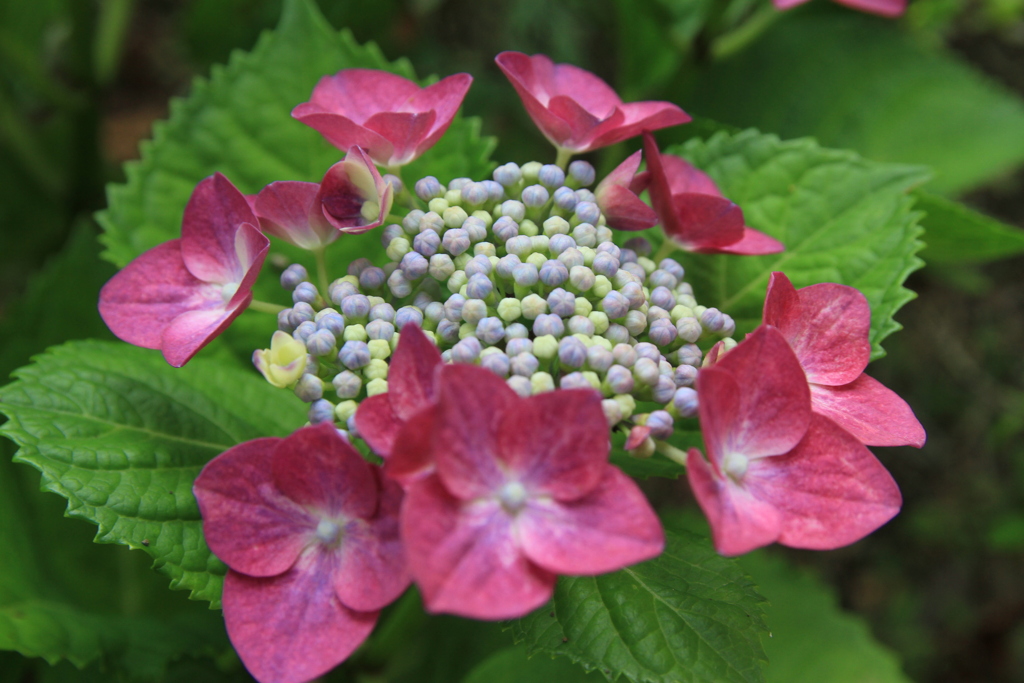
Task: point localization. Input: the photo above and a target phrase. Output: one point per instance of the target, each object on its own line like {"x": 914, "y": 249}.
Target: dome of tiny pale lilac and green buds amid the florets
{"x": 521, "y": 276}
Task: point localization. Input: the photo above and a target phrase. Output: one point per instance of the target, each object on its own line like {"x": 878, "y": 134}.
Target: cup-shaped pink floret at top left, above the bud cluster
{"x": 391, "y": 117}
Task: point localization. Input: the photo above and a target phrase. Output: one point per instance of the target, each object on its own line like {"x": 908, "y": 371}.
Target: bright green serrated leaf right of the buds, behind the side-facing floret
{"x": 843, "y": 220}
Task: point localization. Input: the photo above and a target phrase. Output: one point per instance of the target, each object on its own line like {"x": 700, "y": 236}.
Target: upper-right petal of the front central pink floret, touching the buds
{"x": 556, "y": 443}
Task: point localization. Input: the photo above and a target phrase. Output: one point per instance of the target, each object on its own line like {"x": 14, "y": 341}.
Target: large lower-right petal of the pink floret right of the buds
{"x": 831, "y": 490}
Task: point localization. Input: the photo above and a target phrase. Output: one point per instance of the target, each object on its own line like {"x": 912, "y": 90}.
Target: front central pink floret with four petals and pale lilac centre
{"x": 522, "y": 491}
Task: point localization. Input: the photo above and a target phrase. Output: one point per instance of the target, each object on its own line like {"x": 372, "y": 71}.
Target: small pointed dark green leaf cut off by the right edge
{"x": 958, "y": 234}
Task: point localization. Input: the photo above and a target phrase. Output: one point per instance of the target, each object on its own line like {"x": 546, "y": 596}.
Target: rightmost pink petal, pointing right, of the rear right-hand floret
{"x": 870, "y": 411}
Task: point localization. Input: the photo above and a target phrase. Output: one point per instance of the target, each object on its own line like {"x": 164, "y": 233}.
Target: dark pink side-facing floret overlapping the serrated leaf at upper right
{"x": 694, "y": 212}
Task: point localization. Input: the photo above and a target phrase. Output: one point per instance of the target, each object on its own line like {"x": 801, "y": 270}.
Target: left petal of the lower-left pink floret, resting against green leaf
{"x": 247, "y": 523}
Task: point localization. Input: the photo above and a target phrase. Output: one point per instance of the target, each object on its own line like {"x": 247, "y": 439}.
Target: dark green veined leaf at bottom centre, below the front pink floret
{"x": 688, "y": 616}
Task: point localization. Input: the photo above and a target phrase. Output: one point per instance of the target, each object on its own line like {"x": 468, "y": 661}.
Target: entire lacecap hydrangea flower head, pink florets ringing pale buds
{"x": 464, "y": 392}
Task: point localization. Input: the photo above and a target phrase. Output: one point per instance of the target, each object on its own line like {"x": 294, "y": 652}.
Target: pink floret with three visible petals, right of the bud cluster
{"x": 777, "y": 472}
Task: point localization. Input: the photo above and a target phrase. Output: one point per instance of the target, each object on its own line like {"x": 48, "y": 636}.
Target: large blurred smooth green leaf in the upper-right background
{"x": 898, "y": 102}
